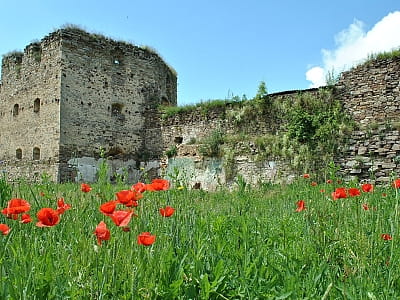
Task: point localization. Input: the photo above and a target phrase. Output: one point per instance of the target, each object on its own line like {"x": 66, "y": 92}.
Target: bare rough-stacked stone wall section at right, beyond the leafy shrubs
{"x": 371, "y": 95}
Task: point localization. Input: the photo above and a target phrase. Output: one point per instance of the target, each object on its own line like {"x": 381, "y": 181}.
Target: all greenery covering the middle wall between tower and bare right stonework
{"x": 310, "y": 128}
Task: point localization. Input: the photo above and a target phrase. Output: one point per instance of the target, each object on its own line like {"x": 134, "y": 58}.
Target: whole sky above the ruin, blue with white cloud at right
{"x": 221, "y": 48}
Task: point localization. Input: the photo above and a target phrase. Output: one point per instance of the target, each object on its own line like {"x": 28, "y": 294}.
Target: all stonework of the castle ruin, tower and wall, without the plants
{"x": 74, "y": 99}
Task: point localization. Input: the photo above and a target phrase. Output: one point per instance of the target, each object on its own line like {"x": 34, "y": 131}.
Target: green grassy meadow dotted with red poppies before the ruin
{"x": 306, "y": 240}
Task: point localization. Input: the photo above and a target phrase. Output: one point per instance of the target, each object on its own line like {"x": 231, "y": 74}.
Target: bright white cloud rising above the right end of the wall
{"x": 354, "y": 44}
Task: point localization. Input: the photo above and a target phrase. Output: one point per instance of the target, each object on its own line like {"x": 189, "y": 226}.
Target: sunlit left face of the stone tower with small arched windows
{"x": 30, "y": 110}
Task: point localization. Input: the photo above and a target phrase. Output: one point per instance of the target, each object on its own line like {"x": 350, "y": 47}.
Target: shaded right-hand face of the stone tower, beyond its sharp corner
{"x": 108, "y": 90}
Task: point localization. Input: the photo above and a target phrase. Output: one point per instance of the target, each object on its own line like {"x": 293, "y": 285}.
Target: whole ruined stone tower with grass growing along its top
{"x": 71, "y": 96}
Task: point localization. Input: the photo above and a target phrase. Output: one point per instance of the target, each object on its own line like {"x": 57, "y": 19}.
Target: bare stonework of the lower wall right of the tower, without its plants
{"x": 370, "y": 94}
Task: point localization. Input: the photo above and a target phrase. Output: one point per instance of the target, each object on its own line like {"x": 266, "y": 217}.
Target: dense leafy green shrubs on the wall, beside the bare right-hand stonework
{"x": 315, "y": 128}
